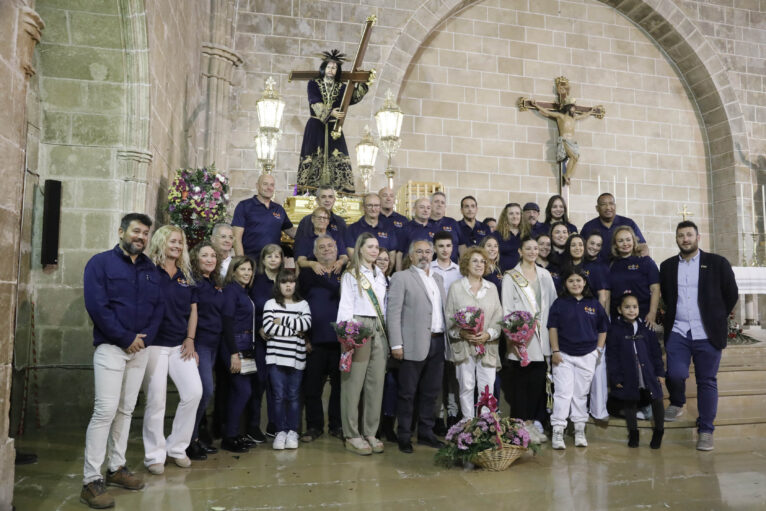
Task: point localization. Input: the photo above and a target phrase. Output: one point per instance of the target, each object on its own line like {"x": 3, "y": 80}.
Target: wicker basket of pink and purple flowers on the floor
{"x": 488, "y": 440}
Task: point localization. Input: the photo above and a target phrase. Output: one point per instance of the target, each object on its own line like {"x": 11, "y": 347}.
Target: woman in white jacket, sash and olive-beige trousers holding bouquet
{"x": 363, "y": 299}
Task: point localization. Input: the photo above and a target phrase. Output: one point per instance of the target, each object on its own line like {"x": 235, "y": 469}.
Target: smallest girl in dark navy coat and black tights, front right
{"x": 636, "y": 371}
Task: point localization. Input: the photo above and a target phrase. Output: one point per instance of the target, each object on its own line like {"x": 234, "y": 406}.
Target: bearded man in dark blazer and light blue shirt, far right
{"x": 700, "y": 291}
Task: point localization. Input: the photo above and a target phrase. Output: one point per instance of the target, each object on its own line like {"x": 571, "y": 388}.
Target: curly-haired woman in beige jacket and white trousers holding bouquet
{"x": 474, "y": 351}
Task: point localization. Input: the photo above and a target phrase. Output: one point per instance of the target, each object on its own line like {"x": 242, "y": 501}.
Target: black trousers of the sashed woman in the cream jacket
{"x": 525, "y": 390}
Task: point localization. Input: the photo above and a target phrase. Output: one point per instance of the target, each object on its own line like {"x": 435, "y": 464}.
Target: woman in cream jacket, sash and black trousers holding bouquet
{"x": 529, "y": 288}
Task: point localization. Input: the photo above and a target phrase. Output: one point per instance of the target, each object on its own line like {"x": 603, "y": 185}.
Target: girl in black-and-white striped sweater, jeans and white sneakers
{"x": 286, "y": 319}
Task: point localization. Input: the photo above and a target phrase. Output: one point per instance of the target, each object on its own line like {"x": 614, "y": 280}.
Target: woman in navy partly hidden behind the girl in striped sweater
{"x": 271, "y": 262}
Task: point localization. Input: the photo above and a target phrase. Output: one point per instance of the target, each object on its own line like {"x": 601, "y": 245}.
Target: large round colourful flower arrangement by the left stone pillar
{"x": 197, "y": 201}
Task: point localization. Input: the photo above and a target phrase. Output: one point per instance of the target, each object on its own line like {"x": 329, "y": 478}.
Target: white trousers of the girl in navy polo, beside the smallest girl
{"x": 572, "y": 379}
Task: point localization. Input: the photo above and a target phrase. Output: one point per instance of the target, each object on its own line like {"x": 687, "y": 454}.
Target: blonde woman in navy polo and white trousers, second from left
{"x": 172, "y": 354}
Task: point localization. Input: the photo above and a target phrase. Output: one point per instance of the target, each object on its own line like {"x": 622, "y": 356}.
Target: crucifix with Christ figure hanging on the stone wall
{"x": 565, "y": 113}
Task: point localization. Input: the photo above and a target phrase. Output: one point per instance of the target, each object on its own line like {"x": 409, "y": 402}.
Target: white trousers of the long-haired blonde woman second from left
{"x": 164, "y": 361}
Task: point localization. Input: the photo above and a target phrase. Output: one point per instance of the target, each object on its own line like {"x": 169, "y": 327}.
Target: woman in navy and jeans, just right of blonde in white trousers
{"x": 206, "y": 271}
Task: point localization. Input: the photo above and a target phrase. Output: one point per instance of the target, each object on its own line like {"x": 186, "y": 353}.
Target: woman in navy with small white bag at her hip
{"x": 238, "y": 336}
